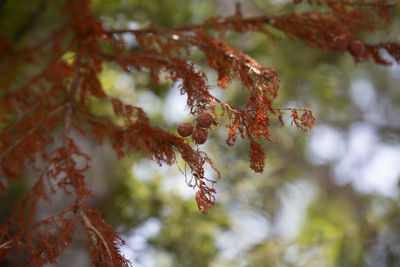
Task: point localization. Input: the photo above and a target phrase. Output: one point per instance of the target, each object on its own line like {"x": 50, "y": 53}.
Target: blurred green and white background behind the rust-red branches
{"x": 329, "y": 197}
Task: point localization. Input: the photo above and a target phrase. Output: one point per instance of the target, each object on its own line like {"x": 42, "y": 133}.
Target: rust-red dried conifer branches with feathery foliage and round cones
{"x": 57, "y": 100}
